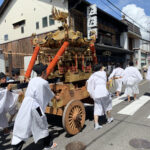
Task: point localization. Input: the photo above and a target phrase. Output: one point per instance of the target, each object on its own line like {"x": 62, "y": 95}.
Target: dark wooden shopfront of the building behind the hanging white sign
{"x": 111, "y": 46}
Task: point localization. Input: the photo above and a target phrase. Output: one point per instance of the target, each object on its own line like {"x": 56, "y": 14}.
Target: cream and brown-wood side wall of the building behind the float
{"x": 19, "y": 19}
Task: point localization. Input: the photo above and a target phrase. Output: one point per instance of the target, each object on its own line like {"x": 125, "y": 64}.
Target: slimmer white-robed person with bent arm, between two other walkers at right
{"x": 117, "y": 75}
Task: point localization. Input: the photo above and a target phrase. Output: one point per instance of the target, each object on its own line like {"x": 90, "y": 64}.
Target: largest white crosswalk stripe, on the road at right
{"x": 133, "y": 107}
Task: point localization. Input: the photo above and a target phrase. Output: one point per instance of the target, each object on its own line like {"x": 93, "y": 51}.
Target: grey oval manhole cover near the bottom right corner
{"x": 140, "y": 143}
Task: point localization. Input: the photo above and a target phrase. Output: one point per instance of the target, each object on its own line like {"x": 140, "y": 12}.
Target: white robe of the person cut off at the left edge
{"x": 8, "y": 102}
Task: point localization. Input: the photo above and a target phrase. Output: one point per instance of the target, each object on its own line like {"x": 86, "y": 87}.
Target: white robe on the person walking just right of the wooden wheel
{"x": 96, "y": 86}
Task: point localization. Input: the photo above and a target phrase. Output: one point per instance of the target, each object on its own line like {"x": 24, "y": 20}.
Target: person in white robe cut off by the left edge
{"x": 8, "y": 102}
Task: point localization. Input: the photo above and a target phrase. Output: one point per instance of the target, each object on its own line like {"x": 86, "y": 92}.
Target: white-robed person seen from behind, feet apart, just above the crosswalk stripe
{"x": 131, "y": 78}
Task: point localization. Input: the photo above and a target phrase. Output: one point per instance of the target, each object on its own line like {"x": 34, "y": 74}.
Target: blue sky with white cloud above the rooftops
{"x": 138, "y": 10}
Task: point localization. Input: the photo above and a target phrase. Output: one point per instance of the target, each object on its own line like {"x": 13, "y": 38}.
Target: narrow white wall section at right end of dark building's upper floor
{"x": 124, "y": 40}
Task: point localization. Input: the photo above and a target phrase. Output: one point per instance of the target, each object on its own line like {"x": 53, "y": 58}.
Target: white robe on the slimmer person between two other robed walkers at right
{"x": 118, "y": 72}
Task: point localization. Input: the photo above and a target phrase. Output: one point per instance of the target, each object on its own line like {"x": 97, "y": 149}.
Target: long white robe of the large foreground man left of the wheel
{"x": 28, "y": 121}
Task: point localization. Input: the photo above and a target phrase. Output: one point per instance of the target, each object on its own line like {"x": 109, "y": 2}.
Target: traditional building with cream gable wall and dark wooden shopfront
{"x": 20, "y": 19}
